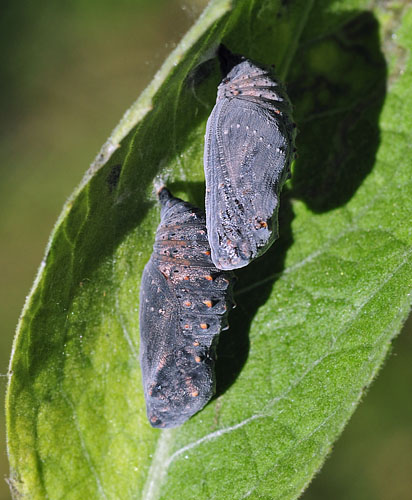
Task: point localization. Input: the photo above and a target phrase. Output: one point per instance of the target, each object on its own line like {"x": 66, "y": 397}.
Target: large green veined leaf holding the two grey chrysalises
{"x": 315, "y": 315}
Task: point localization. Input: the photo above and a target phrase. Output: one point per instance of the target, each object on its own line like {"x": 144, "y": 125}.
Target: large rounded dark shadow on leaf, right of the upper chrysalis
{"x": 338, "y": 86}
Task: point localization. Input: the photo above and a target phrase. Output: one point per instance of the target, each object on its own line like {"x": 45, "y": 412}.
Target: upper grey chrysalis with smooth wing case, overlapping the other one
{"x": 249, "y": 146}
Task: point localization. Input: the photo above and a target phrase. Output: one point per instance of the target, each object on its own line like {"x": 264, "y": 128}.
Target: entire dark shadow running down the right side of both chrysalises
{"x": 337, "y": 111}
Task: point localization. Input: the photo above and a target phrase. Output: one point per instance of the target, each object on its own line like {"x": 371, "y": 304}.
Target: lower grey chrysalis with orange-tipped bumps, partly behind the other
{"x": 184, "y": 303}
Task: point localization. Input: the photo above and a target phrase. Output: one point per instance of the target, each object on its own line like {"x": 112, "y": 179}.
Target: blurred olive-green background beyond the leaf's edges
{"x": 68, "y": 72}
